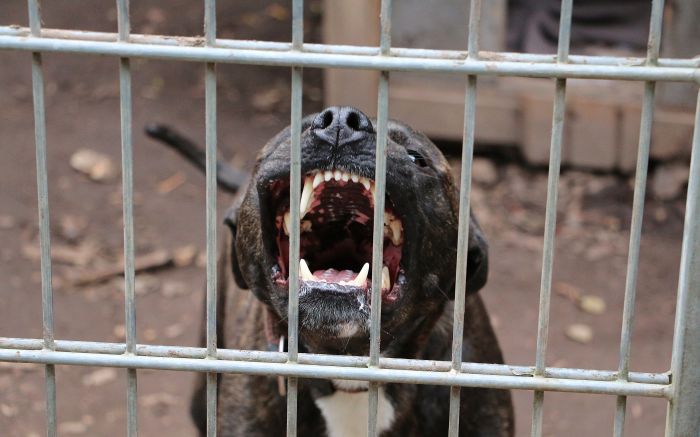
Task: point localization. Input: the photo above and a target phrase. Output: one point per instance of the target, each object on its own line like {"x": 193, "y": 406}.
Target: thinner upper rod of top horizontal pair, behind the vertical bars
{"x": 351, "y": 50}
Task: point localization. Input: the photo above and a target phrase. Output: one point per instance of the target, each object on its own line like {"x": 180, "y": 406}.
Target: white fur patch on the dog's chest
{"x": 346, "y": 414}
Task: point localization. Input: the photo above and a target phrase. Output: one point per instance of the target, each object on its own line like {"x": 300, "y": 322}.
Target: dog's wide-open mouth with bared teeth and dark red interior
{"x": 336, "y": 210}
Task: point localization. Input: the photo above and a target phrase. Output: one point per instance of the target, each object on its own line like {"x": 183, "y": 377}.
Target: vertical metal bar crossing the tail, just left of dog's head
{"x": 210, "y": 158}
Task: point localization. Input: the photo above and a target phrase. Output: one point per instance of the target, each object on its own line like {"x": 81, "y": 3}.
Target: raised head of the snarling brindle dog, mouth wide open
{"x": 337, "y": 204}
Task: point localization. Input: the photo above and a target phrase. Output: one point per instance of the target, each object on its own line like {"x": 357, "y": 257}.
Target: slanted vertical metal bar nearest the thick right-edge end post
{"x": 647, "y": 119}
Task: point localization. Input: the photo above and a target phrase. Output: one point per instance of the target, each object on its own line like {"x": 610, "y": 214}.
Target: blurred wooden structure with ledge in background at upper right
{"x": 602, "y": 128}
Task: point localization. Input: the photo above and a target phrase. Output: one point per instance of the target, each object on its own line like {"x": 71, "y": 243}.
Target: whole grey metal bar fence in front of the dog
{"x": 680, "y": 386}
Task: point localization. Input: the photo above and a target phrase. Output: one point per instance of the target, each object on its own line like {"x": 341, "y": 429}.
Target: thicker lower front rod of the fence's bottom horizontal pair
{"x": 371, "y": 374}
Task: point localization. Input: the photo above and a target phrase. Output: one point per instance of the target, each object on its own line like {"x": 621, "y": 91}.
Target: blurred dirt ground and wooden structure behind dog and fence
{"x": 508, "y": 195}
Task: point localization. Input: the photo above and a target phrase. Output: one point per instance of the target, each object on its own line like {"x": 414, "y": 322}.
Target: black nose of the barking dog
{"x": 341, "y": 125}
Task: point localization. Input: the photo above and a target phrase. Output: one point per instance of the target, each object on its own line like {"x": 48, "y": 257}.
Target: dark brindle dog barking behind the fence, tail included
{"x": 419, "y": 257}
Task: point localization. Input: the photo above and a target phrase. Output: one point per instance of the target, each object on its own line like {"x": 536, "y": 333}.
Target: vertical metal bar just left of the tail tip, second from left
{"x": 128, "y": 214}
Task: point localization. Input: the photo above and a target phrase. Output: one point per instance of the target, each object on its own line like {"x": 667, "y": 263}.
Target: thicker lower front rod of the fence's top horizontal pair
{"x": 293, "y": 58}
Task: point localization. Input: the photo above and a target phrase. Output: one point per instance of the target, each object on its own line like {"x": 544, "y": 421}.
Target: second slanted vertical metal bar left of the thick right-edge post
{"x": 551, "y": 213}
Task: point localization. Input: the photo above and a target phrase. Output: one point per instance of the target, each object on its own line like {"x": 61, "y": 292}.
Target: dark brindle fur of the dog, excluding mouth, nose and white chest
{"x": 419, "y": 325}
